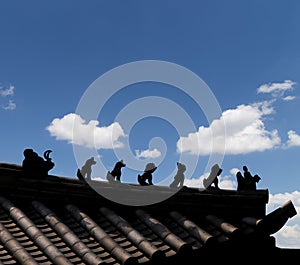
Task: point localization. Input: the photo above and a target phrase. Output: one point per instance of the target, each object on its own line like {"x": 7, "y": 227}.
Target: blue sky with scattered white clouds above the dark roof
{"x": 247, "y": 52}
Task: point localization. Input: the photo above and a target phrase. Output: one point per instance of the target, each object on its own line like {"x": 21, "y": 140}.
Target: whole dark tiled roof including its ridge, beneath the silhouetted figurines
{"x": 59, "y": 220}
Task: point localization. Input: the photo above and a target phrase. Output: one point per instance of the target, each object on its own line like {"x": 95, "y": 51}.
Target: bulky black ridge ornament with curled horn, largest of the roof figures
{"x": 35, "y": 166}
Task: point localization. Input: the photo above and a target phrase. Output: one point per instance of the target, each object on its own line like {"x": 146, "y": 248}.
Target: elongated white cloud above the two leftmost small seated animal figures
{"x": 75, "y": 130}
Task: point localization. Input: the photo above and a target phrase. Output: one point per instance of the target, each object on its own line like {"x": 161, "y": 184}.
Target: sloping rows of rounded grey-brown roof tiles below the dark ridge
{"x": 39, "y": 235}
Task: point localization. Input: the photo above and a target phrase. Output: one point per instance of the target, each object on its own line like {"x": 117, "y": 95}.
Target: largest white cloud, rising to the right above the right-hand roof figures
{"x": 245, "y": 133}
